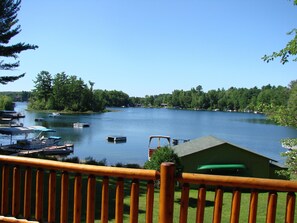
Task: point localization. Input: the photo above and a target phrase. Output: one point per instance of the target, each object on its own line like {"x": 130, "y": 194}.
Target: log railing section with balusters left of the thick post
{"x": 11, "y": 202}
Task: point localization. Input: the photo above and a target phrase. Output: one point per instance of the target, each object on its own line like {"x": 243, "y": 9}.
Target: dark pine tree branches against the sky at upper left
{"x": 8, "y": 29}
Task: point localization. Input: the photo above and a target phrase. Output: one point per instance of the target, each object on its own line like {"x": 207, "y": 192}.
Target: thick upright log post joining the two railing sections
{"x": 167, "y": 180}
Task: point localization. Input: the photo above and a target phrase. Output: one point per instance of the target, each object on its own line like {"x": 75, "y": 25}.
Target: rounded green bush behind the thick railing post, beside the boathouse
{"x": 164, "y": 154}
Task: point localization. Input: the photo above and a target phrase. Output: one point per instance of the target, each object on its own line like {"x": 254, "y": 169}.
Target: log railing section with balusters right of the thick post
{"x": 237, "y": 184}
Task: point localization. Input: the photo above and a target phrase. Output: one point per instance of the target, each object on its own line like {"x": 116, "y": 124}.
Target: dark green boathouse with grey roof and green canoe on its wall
{"x": 211, "y": 155}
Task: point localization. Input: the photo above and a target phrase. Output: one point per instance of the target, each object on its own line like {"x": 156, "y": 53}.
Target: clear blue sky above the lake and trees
{"x": 147, "y": 47}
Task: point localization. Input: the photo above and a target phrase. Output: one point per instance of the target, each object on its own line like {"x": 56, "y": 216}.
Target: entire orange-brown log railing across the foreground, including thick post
{"x": 36, "y": 190}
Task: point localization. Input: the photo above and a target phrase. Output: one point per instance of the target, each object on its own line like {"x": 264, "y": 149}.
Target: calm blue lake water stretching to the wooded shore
{"x": 250, "y": 131}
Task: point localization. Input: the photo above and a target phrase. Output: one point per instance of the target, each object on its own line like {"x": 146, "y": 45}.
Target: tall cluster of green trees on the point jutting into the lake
{"x": 64, "y": 92}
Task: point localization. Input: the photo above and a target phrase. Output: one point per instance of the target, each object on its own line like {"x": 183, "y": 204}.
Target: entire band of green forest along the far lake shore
{"x": 63, "y": 92}
